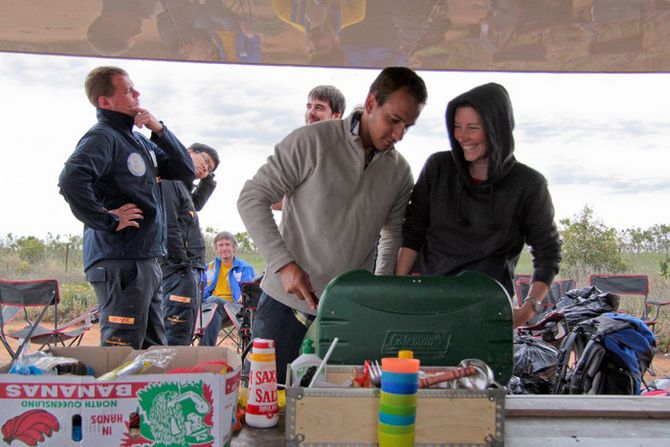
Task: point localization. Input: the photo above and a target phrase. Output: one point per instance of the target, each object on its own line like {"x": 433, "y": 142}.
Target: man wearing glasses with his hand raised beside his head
{"x": 185, "y": 258}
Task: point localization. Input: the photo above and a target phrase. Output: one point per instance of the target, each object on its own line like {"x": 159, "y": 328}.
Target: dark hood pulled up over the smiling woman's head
{"x": 493, "y": 105}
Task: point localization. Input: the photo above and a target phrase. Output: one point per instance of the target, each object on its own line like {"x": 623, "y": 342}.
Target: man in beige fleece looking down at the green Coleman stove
{"x": 345, "y": 189}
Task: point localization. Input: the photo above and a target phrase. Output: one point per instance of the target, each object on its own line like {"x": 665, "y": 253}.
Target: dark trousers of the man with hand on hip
{"x": 129, "y": 295}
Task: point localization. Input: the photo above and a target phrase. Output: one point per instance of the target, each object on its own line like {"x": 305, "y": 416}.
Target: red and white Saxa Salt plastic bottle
{"x": 262, "y": 405}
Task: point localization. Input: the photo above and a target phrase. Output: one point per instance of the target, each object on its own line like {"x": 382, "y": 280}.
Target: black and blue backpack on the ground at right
{"x": 608, "y": 354}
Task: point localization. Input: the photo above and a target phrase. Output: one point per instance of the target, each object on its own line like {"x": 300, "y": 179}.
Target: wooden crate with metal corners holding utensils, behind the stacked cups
{"x": 348, "y": 416}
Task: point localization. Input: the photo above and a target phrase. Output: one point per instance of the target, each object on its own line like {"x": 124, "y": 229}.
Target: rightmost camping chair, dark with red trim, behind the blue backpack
{"x": 633, "y": 286}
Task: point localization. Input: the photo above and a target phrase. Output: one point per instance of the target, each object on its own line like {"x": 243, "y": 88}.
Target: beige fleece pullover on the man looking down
{"x": 334, "y": 212}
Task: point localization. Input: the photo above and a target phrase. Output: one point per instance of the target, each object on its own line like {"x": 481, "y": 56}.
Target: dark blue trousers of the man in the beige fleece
{"x": 277, "y": 321}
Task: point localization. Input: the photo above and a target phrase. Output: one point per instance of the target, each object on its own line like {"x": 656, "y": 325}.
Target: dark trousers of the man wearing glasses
{"x": 181, "y": 299}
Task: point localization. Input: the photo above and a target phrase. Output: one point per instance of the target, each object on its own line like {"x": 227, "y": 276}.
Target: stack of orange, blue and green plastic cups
{"x": 397, "y": 402}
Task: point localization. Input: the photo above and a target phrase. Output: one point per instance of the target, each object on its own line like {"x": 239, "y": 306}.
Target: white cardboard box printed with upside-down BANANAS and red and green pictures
{"x": 148, "y": 409}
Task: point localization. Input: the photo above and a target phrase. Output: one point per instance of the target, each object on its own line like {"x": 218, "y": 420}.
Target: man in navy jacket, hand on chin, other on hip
{"x": 111, "y": 184}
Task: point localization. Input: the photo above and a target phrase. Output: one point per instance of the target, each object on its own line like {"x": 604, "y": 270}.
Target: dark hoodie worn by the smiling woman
{"x": 458, "y": 225}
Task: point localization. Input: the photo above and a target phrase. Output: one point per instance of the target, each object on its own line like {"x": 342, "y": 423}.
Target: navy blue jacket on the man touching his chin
{"x": 112, "y": 166}
